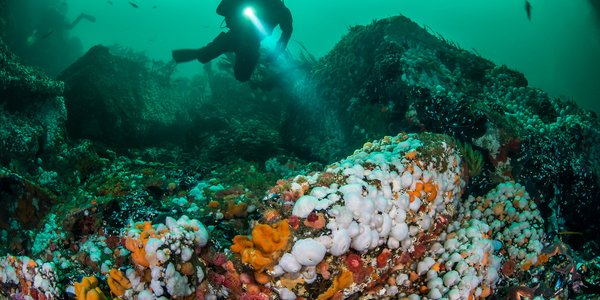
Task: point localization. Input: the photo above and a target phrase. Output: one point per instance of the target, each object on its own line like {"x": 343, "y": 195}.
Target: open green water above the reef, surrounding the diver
{"x": 558, "y": 50}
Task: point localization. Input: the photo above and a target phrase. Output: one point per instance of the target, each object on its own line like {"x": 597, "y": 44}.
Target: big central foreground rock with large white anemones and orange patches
{"x": 382, "y": 201}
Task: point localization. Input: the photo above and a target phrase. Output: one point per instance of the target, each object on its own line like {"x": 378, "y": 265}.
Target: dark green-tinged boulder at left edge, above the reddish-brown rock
{"x": 32, "y": 112}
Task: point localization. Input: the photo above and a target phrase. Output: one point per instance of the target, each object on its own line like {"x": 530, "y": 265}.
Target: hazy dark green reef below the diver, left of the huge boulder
{"x": 127, "y": 101}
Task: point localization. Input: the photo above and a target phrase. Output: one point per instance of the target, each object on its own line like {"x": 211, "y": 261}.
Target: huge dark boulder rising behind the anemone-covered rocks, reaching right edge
{"x": 393, "y": 75}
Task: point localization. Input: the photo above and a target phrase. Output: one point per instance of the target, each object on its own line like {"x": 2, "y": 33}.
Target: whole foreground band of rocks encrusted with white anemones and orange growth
{"x": 393, "y": 221}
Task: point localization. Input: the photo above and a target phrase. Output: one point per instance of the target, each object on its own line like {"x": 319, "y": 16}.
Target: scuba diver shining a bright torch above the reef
{"x": 249, "y": 22}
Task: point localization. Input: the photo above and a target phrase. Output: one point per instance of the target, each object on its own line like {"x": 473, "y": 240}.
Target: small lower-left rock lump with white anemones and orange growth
{"x": 164, "y": 257}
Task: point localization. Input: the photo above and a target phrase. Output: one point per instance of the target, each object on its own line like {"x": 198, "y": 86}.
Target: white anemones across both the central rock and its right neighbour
{"x": 390, "y": 196}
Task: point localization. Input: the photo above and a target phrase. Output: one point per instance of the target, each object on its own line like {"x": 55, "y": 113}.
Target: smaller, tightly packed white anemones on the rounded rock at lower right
{"x": 505, "y": 219}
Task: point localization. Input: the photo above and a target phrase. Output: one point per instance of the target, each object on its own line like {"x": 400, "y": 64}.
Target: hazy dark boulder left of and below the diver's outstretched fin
{"x": 117, "y": 101}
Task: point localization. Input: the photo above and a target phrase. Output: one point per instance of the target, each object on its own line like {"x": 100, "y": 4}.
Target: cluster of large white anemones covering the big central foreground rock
{"x": 379, "y": 201}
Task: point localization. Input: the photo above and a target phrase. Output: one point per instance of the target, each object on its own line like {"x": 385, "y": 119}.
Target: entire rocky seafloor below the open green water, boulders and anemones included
{"x": 397, "y": 166}
